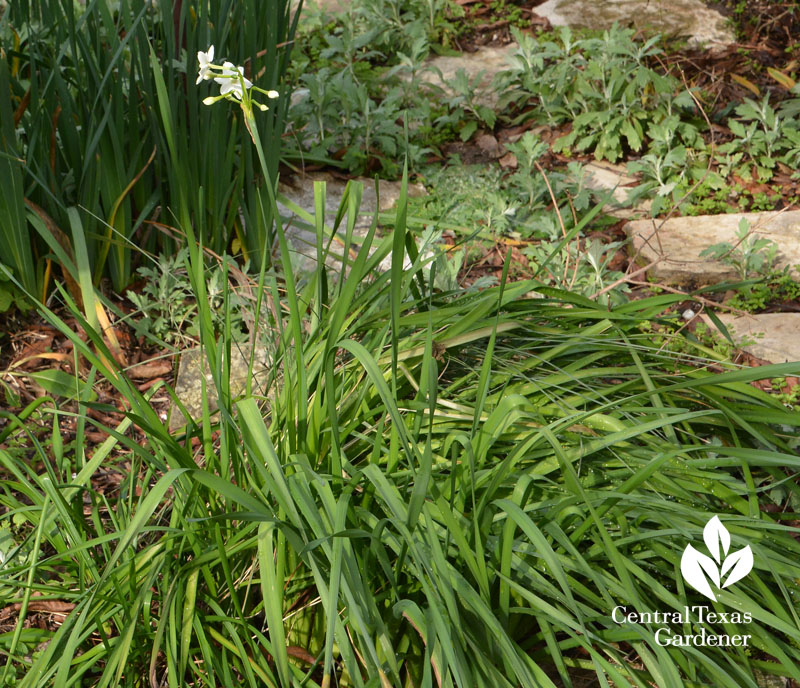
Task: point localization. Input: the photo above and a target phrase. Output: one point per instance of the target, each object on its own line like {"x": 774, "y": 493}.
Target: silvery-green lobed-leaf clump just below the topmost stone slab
{"x": 601, "y": 85}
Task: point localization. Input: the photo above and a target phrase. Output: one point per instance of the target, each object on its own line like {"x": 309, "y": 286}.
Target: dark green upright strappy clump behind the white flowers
{"x": 99, "y": 129}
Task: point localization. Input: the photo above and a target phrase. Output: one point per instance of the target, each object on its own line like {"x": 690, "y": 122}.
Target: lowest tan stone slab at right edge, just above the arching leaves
{"x": 774, "y": 337}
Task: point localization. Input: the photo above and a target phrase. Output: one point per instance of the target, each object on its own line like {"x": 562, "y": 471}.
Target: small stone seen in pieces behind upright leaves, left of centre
{"x": 193, "y": 367}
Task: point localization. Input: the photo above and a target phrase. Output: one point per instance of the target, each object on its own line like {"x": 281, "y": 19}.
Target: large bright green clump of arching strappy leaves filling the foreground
{"x": 456, "y": 486}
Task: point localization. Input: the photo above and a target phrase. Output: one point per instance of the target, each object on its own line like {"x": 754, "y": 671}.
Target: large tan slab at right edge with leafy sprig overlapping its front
{"x": 679, "y": 241}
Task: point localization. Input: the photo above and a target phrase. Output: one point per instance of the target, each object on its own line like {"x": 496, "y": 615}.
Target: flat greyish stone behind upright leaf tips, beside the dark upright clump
{"x": 300, "y": 190}
